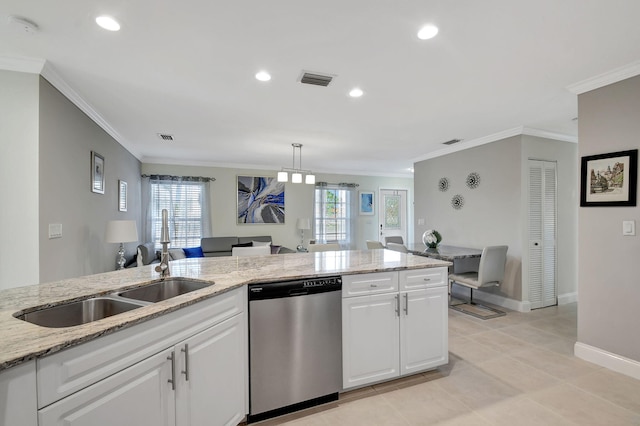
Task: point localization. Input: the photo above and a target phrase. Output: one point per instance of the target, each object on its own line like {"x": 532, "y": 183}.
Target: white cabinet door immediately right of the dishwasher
{"x": 371, "y": 337}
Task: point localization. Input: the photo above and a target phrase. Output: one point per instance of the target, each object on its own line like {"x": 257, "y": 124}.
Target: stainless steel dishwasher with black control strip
{"x": 295, "y": 345}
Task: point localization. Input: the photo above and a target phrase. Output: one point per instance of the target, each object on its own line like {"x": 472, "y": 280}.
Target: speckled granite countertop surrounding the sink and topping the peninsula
{"x": 22, "y": 341}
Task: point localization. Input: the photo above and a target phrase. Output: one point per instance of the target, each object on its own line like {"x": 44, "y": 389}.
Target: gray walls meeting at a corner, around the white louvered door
{"x": 496, "y": 212}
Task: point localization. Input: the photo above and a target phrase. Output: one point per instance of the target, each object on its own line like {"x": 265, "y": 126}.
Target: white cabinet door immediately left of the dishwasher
{"x": 213, "y": 393}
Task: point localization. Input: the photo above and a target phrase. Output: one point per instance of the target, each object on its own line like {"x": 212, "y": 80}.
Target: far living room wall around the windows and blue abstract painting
{"x": 298, "y": 201}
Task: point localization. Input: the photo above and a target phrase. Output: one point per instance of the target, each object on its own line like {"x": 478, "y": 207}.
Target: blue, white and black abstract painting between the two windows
{"x": 260, "y": 200}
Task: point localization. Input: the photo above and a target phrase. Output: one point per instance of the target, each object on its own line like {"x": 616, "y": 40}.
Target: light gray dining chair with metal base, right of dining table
{"x": 490, "y": 273}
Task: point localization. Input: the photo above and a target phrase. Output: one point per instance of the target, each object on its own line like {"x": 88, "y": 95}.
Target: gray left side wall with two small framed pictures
{"x": 67, "y": 137}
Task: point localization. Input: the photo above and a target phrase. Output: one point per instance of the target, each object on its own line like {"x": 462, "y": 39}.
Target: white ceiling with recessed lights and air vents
{"x": 187, "y": 68}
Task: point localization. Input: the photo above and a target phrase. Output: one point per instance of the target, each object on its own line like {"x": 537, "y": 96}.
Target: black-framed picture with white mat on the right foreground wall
{"x": 608, "y": 180}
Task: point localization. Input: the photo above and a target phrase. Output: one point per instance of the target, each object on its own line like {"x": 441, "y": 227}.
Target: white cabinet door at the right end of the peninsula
{"x": 423, "y": 330}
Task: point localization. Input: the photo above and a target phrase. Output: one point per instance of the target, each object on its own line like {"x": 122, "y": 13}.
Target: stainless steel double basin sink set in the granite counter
{"x": 97, "y": 308}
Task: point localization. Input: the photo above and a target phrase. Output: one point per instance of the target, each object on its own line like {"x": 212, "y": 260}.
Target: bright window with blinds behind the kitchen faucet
{"x": 186, "y": 200}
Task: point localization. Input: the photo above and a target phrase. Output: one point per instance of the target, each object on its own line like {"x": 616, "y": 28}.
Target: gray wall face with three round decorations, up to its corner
{"x": 491, "y": 214}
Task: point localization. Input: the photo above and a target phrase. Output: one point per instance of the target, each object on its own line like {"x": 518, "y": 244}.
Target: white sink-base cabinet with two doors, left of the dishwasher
{"x": 187, "y": 368}
